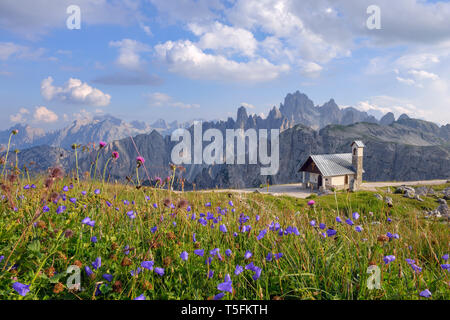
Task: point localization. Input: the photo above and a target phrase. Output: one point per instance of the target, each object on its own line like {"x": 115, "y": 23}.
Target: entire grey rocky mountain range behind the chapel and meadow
{"x": 402, "y": 149}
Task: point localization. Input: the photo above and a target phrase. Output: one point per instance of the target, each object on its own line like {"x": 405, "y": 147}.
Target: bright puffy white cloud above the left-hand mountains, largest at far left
{"x": 74, "y": 91}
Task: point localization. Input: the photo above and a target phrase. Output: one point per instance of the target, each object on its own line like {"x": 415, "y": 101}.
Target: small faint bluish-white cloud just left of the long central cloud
{"x": 129, "y": 53}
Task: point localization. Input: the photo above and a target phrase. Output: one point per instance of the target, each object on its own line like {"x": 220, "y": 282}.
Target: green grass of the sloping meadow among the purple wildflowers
{"x": 312, "y": 266}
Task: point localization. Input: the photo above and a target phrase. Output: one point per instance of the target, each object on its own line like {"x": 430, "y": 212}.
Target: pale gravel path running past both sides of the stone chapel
{"x": 295, "y": 190}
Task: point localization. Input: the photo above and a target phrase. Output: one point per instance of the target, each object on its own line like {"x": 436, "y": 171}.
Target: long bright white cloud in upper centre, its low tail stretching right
{"x": 184, "y": 57}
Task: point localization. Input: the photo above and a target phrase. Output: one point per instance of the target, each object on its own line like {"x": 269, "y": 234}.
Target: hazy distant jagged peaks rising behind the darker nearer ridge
{"x": 296, "y": 109}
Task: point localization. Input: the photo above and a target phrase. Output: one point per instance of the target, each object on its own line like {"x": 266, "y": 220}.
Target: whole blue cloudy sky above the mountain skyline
{"x": 190, "y": 59}
